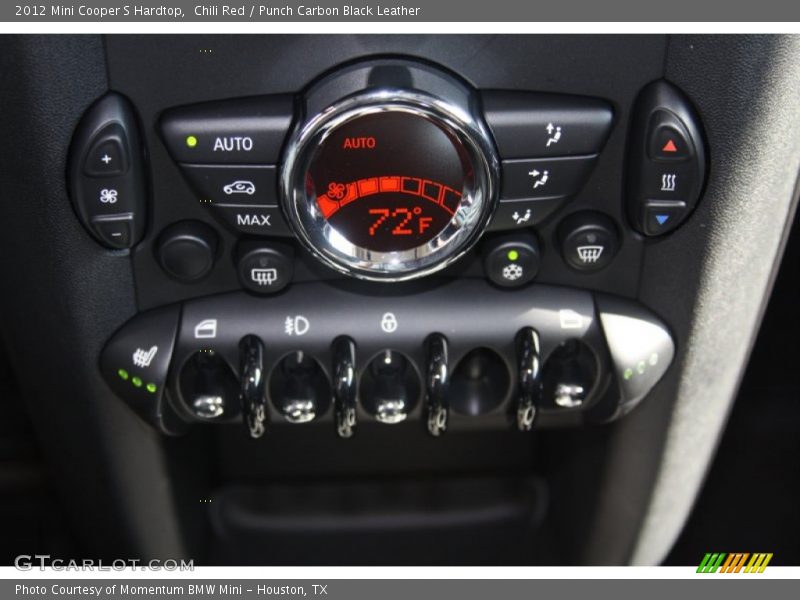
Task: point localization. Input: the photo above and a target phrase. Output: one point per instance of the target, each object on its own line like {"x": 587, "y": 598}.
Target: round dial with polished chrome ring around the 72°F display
{"x": 337, "y": 221}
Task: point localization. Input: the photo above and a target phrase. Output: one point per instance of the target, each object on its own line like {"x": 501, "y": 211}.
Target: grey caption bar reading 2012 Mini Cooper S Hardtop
{"x": 777, "y": 11}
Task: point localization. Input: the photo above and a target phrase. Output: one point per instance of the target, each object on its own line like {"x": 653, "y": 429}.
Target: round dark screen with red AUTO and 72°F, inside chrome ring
{"x": 388, "y": 181}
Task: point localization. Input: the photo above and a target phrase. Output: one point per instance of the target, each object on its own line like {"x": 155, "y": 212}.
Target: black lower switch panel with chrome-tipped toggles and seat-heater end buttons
{"x": 554, "y": 356}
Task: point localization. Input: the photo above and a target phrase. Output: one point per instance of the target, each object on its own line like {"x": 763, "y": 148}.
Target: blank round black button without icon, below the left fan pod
{"x": 186, "y": 250}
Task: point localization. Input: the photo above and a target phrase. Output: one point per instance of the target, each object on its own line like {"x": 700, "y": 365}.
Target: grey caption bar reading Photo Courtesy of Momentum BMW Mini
{"x": 733, "y": 587}
